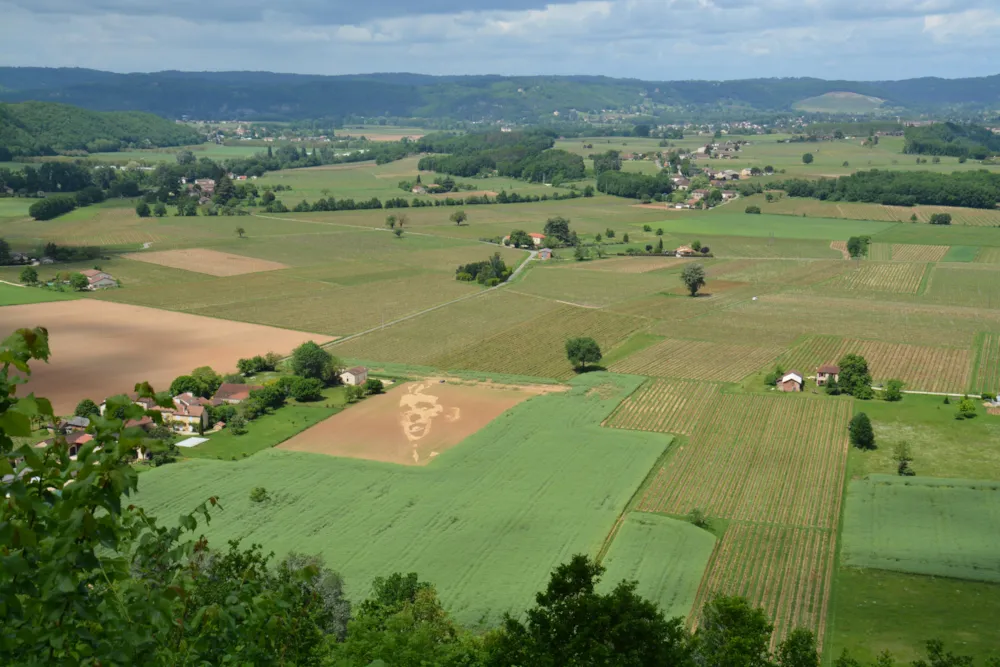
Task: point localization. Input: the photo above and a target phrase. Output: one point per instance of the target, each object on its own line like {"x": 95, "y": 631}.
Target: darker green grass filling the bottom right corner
{"x": 876, "y": 610}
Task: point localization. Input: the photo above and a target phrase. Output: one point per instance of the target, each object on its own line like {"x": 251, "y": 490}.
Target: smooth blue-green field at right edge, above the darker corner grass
{"x": 933, "y": 526}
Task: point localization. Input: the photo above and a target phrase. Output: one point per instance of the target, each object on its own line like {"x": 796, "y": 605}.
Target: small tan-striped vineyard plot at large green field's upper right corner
{"x": 668, "y": 406}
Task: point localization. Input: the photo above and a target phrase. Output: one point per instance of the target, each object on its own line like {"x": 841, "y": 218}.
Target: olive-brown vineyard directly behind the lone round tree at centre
{"x": 537, "y": 347}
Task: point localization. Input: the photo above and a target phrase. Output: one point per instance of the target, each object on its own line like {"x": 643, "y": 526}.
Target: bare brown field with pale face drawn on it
{"x": 410, "y": 425}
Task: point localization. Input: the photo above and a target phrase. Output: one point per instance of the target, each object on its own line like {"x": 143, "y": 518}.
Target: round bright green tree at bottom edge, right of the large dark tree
{"x": 733, "y": 634}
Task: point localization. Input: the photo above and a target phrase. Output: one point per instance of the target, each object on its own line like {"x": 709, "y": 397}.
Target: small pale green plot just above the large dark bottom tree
{"x": 668, "y": 557}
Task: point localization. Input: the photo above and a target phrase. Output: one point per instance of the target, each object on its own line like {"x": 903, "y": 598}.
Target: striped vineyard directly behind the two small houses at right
{"x": 922, "y": 368}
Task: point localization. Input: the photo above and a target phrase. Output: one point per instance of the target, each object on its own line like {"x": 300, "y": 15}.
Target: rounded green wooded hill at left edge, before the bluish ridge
{"x": 46, "y": 128}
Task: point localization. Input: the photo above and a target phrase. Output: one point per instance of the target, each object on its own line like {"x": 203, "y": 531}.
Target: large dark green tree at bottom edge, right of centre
{"x": 572, "y": 624}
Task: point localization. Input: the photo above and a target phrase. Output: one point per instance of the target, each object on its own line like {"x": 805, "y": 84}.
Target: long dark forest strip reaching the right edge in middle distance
{"x": 973, "y": 189}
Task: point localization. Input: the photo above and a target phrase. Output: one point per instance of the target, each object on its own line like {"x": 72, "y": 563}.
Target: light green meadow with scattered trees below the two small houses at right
{"x": 941, "y": 445}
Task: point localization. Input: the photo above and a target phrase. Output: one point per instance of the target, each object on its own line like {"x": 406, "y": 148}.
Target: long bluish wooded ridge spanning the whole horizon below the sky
{"x": 267, "y": 95}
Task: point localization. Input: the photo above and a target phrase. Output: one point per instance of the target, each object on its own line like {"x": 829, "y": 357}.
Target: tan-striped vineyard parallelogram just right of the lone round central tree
{"x": 698, "y": 360}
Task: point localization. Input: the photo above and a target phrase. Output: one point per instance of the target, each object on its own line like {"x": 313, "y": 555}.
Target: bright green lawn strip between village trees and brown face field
{"x": 266, "y": 431}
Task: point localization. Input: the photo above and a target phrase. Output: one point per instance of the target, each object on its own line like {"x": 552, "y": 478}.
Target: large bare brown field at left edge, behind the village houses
{"x": 100, "y": 349}
